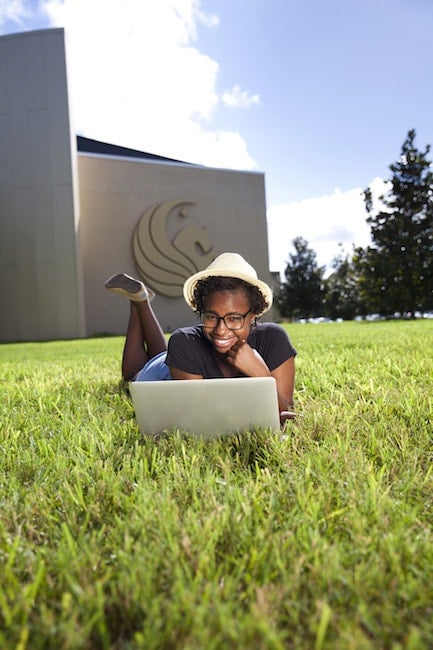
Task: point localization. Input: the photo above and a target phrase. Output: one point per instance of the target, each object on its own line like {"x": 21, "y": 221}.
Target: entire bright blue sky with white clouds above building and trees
{"x": 319, "y": 95}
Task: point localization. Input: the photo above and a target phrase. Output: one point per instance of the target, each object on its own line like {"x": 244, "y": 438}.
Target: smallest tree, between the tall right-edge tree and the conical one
{"x": 342, "y": 293}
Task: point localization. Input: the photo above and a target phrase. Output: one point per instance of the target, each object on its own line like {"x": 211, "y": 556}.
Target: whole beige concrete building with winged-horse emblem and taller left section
{"x": 74, "y": 211}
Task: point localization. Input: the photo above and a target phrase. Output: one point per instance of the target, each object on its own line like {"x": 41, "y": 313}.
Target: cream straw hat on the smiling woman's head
{"x": 229, "y": 265}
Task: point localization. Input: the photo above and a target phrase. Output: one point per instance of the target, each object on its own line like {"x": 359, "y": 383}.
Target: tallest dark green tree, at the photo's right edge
{"x": 396, "y": 271}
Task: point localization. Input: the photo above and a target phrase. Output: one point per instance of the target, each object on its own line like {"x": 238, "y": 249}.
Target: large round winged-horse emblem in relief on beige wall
{"x": 163, "y": 264}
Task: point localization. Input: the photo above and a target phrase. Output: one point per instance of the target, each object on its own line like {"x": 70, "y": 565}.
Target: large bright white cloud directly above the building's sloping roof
{"x": 137, "y": 80}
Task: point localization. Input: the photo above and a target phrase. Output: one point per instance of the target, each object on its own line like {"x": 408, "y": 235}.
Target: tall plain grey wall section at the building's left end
{"x": 39, "y": 257}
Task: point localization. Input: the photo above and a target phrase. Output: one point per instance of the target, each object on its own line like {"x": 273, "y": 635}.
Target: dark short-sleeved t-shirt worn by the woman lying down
{"x": 190, "y": 351}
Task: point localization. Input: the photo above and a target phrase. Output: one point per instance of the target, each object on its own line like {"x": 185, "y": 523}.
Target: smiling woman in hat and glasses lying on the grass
{"x": 229, "y": 342}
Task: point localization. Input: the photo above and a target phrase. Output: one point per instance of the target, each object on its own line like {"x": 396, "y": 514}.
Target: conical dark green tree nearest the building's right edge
{"x": 301, "y": 294}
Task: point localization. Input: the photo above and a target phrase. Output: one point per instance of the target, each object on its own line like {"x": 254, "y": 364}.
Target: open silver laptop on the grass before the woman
{"x": 208, "y": 407}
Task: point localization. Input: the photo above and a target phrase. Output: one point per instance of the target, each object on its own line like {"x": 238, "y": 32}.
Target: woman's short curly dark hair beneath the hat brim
{"x": 207, "y": 286}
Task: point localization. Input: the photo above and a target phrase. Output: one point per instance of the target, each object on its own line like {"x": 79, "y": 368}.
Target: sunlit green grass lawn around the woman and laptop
{"x": 320, "y": 539}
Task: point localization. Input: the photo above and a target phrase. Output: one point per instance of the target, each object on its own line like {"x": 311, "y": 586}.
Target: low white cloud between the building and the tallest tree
{"x": 324, "y": 222}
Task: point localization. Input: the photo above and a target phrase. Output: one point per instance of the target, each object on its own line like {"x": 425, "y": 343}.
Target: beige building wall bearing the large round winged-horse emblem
{"x": 222, "y": 210}
